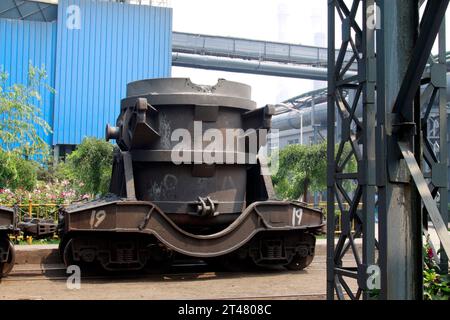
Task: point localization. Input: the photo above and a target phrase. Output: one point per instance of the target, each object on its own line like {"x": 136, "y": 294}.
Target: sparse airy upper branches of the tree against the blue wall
{"x": 21, "y": 115}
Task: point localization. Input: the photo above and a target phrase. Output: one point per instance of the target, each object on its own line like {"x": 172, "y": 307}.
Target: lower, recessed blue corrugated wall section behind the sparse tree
{"x": 24, "y": 42}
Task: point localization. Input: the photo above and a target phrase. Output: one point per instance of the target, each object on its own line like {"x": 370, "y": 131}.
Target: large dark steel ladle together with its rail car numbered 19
{"x": 189, "y": 179}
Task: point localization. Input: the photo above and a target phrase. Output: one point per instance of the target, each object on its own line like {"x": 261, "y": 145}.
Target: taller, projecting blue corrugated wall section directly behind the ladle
{"x": 116, "y": 44}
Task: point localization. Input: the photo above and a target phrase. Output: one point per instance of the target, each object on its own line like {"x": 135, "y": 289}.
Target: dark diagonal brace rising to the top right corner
{"x": 429, "y": 28}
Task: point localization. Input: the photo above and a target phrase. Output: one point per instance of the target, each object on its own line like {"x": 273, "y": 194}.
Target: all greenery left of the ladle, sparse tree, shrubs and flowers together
{"x": 86, "y": 171}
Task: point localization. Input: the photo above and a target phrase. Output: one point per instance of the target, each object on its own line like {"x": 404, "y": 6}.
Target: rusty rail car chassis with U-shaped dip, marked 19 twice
{"x": 131, "y": 234}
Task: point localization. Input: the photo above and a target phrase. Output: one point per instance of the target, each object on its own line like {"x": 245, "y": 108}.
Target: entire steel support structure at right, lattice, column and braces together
{"x": 388, "y": 143}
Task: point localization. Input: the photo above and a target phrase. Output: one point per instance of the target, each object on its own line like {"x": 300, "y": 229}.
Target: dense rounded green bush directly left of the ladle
{"x": 89, "y": 166}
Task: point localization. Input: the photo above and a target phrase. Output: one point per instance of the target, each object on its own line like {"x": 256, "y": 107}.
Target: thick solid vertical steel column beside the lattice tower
{"x": 399, "y": 204}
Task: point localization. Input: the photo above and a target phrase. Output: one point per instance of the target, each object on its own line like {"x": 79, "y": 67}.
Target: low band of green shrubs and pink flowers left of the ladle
{"x": 85, "y": 173}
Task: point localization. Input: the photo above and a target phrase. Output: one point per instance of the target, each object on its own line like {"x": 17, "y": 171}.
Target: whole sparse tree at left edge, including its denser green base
{"x": 21, "y": 118}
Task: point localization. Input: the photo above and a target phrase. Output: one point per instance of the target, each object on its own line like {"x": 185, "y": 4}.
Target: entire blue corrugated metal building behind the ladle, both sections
{"x": 90, "y": 50}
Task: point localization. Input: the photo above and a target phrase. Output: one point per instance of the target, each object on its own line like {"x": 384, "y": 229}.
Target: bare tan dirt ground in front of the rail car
{"x": 307, "y": 284}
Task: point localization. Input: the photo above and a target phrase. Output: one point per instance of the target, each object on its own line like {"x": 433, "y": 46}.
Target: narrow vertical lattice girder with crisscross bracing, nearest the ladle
{"x": 352, "y": 190}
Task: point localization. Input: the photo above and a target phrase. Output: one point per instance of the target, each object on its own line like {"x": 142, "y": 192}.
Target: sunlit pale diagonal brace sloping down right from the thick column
{"x": 427, "y": 198}
